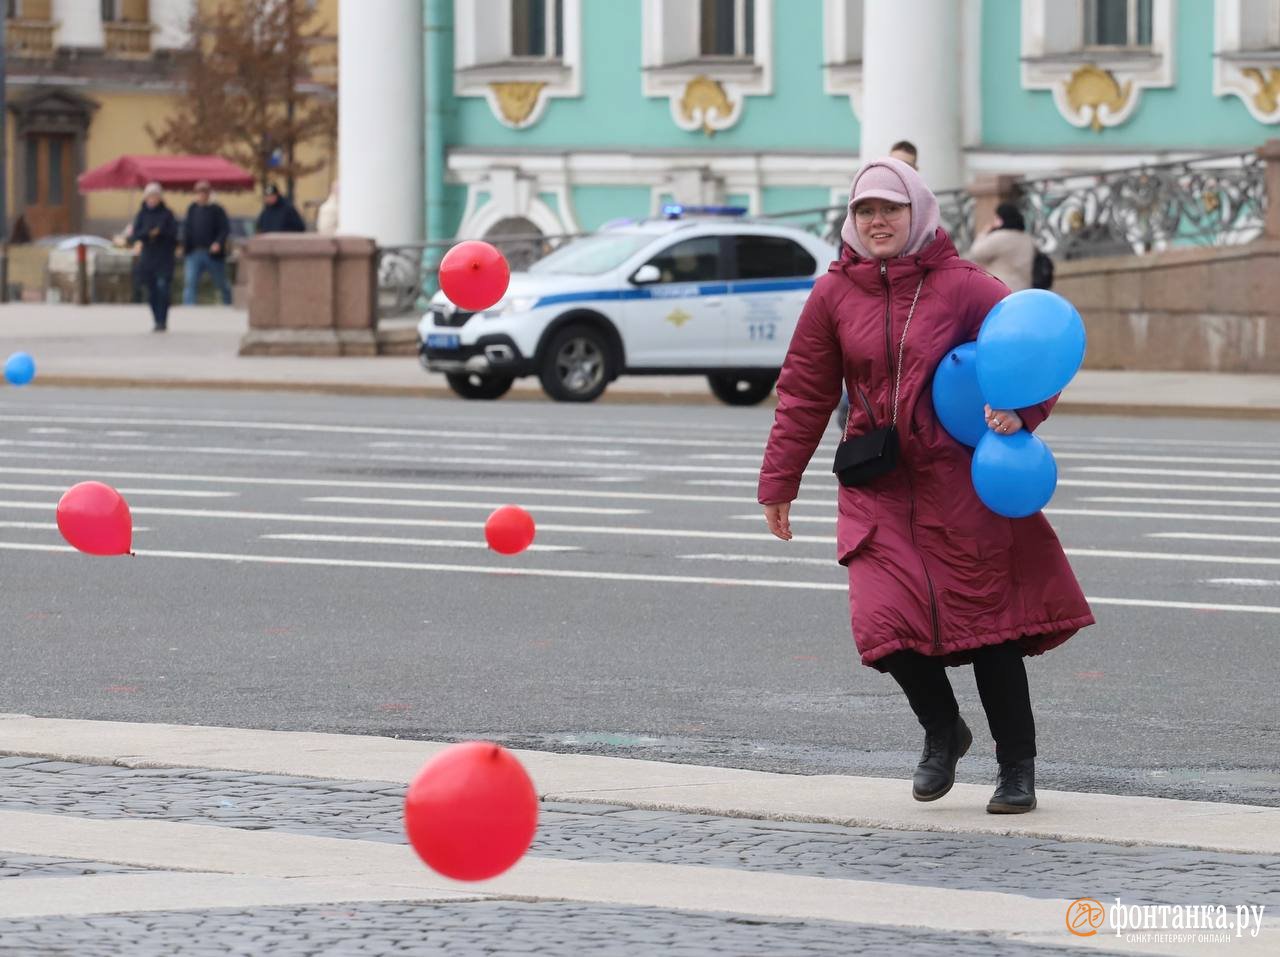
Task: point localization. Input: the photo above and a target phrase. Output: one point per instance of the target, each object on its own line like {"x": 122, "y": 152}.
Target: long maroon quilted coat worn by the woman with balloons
{"x": 930, "y": 567}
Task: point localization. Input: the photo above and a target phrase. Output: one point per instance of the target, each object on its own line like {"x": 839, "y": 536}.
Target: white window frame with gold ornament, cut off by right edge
{"x": 1251, "y": 75}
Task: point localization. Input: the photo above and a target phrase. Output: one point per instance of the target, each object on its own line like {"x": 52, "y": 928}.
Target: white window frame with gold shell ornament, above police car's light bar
{"x": 706, "y": 93}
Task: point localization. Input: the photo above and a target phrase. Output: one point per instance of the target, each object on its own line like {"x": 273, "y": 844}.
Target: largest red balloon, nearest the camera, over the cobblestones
{"x": 472, "y": 812}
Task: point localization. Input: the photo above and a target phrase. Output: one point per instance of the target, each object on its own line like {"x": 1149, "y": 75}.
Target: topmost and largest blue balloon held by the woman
{"x": 1031, "y": 346}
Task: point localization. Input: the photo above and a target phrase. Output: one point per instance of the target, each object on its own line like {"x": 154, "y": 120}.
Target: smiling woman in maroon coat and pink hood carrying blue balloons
{"x": 936, "y": 580}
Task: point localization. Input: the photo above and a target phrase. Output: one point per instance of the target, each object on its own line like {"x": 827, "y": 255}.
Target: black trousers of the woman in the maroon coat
{"x": 1002, "y": 679}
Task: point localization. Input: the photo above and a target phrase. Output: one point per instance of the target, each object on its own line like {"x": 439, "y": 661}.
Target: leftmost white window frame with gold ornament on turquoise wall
{"x": 516, "y": 89}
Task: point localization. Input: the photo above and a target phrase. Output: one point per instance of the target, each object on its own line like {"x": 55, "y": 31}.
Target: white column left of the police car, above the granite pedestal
{"x": 381, "y": 120}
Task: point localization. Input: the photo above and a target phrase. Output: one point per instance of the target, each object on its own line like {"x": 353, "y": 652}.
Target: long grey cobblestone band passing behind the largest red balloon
{"x": 373, "y": 812}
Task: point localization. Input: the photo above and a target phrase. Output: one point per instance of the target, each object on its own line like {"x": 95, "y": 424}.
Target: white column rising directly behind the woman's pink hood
{"x": 912, "y": 85}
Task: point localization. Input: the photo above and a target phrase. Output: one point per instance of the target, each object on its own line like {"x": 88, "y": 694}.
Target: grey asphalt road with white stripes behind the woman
{"x": 318, "y": 564}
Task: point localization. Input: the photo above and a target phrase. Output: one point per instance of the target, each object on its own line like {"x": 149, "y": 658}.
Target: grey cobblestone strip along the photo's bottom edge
{"x": 560, "y": 929}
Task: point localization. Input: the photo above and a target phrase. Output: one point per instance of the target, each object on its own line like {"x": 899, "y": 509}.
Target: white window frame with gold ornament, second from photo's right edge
{"x": 1096, "y": 88}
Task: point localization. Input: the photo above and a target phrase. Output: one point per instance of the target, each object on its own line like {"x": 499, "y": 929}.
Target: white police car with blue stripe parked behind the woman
{"x": 701, "y": 292}
